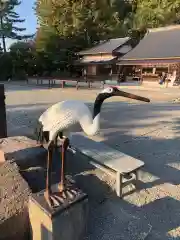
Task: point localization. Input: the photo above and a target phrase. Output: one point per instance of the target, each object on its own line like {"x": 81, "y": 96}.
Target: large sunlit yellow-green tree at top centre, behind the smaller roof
{"x": 88, "y": 21}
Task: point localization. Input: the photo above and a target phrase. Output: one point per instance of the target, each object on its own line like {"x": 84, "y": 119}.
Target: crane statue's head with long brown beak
{"x": 114, "y": 91}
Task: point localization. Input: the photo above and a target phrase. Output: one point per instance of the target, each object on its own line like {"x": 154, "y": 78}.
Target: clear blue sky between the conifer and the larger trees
{"x": 26, "y": 12}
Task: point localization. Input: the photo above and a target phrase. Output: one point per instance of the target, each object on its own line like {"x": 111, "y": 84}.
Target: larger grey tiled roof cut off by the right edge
{"x": 158, "y": 43}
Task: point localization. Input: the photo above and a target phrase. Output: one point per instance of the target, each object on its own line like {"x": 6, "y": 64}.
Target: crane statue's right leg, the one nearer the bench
{"x": 65, "y": 145}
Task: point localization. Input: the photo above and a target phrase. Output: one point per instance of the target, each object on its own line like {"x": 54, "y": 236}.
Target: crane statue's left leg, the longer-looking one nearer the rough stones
{"x": 48, "y": 190}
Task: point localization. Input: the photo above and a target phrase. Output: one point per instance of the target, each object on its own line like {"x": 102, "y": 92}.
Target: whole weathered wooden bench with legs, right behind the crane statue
{"x": 113, "y": 162}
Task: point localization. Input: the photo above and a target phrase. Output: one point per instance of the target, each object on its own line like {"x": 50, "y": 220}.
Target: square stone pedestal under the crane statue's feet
{"x": 67, "y": 222}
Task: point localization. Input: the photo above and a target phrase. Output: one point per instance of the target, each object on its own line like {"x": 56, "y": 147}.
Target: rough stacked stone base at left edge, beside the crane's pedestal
{"x": 19, "y": 177}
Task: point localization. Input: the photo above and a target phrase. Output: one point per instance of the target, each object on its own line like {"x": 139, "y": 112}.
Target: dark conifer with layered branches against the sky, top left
{"x": 8, "y": 20}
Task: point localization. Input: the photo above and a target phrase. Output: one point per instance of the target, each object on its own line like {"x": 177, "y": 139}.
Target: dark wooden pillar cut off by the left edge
{"x": 3, "y": 124}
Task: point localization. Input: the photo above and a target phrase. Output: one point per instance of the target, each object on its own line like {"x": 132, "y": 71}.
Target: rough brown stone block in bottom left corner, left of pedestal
{"x": 14, "y": 195}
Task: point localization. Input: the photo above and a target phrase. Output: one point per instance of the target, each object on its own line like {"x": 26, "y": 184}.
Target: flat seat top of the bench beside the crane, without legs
{"x": 105, "y": 155}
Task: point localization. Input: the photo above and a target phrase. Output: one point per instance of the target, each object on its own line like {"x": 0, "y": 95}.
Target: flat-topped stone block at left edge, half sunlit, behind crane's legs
{"x": 23, "y": 150}
